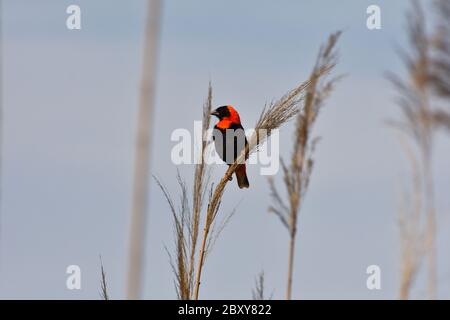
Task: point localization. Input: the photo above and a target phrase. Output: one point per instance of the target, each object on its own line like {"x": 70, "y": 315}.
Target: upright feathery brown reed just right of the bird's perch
{"x": 298, "y": 172}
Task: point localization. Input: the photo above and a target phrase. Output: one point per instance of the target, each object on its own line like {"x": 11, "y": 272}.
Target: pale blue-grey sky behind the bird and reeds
{"x": 70, "y": 100}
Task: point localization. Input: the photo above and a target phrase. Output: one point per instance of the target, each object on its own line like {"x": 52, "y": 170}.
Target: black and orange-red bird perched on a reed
{"x": 229, "y": 140}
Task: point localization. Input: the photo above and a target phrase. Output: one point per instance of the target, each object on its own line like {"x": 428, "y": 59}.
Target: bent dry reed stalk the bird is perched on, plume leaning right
{"x": 272, "y": 117}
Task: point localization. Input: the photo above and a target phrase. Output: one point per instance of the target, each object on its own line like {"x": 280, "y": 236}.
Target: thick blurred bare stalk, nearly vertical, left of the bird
{"x": 142, "y": 156}
